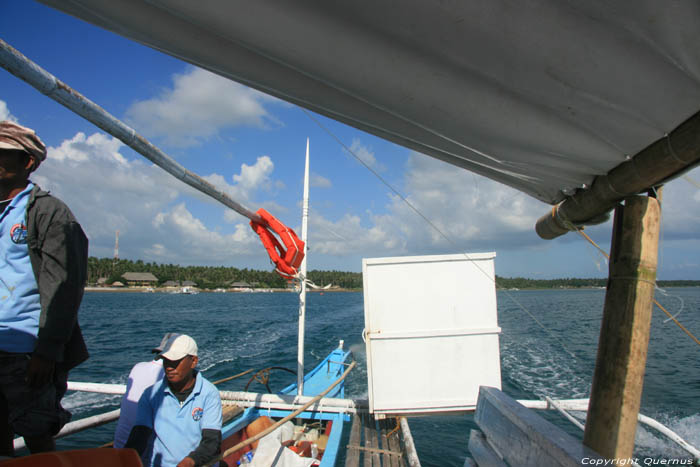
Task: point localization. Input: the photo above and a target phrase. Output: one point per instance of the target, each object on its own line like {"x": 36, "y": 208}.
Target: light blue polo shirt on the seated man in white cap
{"x": 177, "y": 429}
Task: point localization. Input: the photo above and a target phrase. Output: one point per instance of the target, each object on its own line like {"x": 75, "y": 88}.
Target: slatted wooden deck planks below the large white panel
{"x": 375, "y": 443}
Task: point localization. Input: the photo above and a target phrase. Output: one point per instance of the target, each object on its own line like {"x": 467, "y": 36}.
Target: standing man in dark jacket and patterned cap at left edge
{"x": 43, "y": 270}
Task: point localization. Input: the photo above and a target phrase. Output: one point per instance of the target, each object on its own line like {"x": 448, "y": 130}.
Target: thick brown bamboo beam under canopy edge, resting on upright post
{"x": 659, "y": 162}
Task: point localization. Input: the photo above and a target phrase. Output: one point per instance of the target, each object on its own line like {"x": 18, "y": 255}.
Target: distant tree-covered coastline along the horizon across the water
{"x": 106, "y": 271}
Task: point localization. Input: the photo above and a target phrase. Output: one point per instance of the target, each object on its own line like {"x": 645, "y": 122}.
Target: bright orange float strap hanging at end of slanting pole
{"x": 287, "y": 258}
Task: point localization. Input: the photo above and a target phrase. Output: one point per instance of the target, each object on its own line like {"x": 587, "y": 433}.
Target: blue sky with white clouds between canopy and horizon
{"x": 252, "y": 146}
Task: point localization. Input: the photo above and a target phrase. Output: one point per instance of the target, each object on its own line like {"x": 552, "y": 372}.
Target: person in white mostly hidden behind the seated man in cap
{"x": 141, "y": 376}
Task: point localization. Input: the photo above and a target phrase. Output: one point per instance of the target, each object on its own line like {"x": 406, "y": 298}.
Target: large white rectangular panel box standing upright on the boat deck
{"x": 431, "y": 332}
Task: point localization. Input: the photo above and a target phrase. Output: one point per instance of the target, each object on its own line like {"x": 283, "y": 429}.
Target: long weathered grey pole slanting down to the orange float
{"x": 19, "y": 65}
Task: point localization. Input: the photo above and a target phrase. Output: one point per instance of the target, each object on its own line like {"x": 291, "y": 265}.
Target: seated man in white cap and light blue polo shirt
{"x": 180, "y": 415}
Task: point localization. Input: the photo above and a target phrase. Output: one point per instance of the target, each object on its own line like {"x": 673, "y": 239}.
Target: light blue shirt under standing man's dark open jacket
{"x": 19, "y": 294}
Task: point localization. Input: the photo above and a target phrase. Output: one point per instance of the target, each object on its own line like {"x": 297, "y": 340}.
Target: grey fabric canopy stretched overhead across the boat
{"x": 542, "y": 95}
